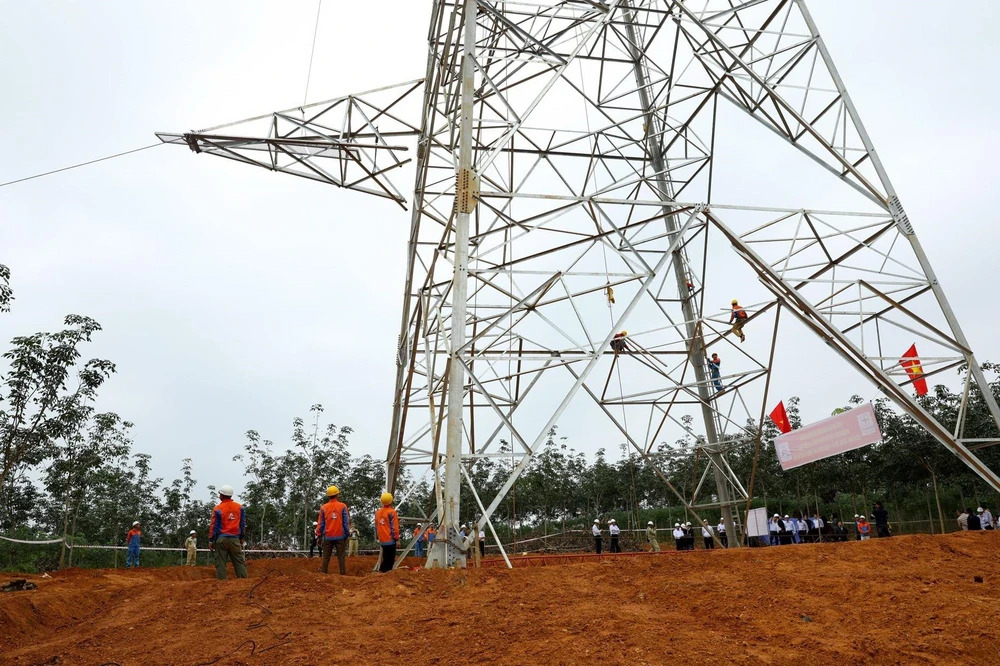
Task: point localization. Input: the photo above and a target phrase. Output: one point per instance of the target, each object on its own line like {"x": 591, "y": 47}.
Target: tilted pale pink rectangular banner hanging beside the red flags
{"x": 844, "y": 432}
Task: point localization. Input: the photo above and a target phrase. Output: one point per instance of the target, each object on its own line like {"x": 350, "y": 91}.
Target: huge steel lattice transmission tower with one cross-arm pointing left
{"x": 568, "y": 186}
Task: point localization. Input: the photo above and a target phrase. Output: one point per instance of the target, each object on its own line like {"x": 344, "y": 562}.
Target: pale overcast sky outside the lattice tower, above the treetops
{"x": 234, "y": 298}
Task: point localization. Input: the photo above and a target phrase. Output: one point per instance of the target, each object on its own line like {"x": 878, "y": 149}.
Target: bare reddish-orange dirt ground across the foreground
{"x": 905, "y": 600}
